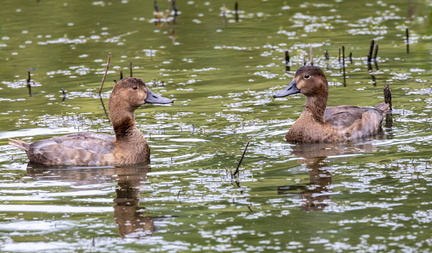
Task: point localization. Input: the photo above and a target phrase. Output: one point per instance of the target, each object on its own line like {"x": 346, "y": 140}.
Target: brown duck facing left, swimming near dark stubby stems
{"x": 321, "y": 124}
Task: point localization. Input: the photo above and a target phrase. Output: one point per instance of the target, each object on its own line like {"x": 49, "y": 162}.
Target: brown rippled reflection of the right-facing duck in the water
{"x": 131, "y": 219}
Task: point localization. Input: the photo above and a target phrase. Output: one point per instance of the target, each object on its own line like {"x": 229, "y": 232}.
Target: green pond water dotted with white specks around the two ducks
{"x": 369, "y": 196}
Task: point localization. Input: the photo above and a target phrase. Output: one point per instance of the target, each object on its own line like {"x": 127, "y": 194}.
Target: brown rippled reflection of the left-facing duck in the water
{"x": 316, "y": 194}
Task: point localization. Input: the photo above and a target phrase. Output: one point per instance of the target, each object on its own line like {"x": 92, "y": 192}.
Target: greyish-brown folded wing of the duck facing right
{"x": 74, "y": 149}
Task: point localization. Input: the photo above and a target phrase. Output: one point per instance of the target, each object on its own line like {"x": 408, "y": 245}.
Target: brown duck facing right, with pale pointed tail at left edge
{"x": 127, "y": 147}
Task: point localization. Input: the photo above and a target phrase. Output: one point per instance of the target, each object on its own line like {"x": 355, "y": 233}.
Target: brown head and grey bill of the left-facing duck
{"x": 308, "y": 80}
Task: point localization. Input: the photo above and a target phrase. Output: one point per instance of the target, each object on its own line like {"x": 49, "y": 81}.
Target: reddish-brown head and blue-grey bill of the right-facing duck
{"x": 132, "y": 93}
